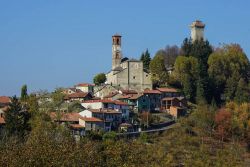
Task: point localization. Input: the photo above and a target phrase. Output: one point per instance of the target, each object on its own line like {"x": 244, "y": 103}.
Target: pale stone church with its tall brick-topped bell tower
{"x": 128, "y": 74}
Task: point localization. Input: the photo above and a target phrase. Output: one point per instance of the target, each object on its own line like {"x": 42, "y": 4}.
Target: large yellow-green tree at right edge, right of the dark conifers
{"x": 226, "y": 66}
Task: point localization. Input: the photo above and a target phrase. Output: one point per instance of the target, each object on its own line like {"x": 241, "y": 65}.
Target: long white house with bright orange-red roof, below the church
{"x": 108, "y": 105}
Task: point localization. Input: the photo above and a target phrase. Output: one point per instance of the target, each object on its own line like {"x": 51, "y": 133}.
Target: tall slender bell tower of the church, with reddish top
{"x": 116, "y": 51}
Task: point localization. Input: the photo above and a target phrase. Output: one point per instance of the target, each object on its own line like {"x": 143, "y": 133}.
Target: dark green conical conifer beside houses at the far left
{"x": 17, "y": 119}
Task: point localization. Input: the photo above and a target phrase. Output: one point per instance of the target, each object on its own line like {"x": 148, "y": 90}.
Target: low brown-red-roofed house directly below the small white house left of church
{"x": 78, "y": 96}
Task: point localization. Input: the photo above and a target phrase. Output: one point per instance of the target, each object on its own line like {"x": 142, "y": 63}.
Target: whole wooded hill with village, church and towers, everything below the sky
{"x": 187, "y": 106}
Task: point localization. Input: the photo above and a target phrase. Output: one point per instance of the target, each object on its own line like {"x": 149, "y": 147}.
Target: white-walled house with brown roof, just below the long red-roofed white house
{"x": 111, "y": 119}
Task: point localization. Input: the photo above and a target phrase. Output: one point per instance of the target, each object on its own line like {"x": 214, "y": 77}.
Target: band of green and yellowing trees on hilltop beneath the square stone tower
{"x": 204, "y": 73}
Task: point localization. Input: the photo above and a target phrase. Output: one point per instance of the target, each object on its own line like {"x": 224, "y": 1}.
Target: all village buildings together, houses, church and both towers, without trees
{"x": 126, "y": 102}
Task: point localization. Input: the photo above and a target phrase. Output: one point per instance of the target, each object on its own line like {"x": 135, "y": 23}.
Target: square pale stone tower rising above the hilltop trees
{"x": 197, "y": 30}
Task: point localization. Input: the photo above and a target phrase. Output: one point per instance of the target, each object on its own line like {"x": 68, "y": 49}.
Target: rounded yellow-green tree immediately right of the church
{"x": 158, "y": 70}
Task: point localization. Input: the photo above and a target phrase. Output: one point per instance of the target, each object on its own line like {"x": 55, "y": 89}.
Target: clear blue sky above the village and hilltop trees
{"x": 48, "y": 44}
